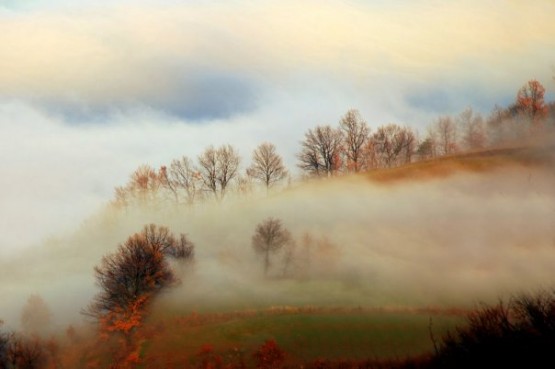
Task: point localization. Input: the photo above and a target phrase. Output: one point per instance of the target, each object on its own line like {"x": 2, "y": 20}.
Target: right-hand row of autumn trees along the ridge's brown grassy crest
{"x": 352, "y": 147}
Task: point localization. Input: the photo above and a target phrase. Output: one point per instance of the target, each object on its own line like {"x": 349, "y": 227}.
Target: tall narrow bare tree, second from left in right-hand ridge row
{"x": 355, "y": 135}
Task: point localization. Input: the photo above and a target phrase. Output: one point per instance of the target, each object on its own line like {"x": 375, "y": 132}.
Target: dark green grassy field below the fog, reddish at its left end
{"x": 305, "y": 335}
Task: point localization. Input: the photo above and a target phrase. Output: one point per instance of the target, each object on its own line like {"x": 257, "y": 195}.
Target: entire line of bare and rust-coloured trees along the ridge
{"x": 327, "y": 151}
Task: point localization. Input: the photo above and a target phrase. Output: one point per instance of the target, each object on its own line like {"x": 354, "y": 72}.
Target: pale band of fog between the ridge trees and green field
{"x": 439, "y": 242}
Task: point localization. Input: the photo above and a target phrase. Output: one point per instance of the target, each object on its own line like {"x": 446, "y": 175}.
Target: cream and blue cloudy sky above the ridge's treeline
{"x": 89, "y": 90}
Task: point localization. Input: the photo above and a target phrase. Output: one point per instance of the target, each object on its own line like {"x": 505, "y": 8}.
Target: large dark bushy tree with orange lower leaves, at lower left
{"x": 131, "y": 276}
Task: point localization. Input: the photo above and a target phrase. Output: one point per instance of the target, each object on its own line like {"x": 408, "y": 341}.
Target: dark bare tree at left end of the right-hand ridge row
{"x": 321, "y": 151}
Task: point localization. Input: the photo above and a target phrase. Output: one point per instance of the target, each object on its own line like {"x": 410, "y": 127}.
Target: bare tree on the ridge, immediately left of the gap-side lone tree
{"x": 217, "y": 168}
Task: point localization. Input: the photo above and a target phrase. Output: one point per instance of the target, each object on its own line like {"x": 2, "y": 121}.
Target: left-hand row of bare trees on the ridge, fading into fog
{"x": 215, "y": 172}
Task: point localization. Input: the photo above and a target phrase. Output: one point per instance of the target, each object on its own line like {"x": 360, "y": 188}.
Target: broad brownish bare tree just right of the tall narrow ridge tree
{"x": 393, "y": 145}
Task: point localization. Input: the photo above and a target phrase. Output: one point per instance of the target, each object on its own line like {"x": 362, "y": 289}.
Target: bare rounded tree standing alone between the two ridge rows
{"x": 267, "y": 166}
